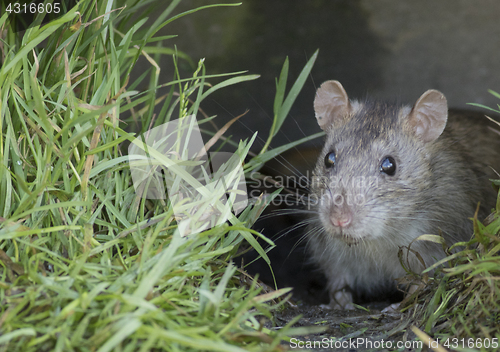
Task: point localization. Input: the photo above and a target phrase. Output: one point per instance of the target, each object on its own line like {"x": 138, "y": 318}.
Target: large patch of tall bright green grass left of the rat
{"x": 87, "y": 263}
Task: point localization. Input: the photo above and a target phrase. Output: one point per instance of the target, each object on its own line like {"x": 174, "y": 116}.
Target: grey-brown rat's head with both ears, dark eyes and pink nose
{"x": 373, "y": 177}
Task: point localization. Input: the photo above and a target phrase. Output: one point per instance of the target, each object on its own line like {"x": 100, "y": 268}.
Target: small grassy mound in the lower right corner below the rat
{"x": 461, "y": 300}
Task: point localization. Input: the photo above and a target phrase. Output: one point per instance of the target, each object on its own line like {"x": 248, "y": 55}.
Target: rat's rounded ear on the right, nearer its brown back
{"x": 428, "y": 116}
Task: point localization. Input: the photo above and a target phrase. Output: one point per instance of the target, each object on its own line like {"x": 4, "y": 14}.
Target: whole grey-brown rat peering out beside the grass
{"x": 388, "y": 174}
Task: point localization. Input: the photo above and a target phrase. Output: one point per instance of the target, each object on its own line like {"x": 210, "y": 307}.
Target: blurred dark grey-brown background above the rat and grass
{"x": 389, "y": 49}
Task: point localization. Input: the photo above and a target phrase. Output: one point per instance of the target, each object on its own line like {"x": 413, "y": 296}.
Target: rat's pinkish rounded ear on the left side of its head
{"x": 331, "y": 103}
